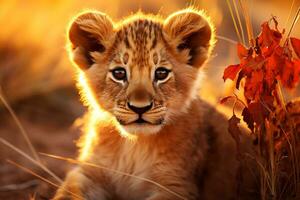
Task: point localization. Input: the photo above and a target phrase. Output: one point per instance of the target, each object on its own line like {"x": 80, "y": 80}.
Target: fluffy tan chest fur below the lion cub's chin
{"x": 124, "y": 156}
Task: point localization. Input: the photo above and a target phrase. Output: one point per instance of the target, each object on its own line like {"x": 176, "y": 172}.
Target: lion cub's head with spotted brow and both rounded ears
{"x": 143, "y": 70}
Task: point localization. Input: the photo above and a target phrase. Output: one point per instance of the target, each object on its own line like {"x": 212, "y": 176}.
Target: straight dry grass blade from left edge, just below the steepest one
{"x": 6, "y": 143}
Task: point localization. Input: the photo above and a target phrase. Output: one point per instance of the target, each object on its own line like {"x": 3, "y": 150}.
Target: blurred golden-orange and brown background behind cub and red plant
{"x": 37, "y": 79}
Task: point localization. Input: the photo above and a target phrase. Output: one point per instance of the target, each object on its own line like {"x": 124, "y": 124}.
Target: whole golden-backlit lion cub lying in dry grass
{"x": 140, "y": 78}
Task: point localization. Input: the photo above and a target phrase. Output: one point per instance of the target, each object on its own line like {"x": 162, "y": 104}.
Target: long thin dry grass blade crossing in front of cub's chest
{"x": 114, "y": 171}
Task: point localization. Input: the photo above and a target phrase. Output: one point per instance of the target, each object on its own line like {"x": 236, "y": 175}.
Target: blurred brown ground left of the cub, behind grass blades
{"x": 48, "y": 120}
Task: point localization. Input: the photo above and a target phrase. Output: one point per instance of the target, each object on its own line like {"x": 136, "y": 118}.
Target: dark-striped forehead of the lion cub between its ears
{"x": 140, "y": 40}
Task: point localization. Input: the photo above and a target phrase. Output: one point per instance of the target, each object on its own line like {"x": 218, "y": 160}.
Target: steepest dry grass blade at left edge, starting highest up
{"x": 18, "y": 123}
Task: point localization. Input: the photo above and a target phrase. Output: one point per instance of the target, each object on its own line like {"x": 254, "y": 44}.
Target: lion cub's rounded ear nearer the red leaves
{"x": 190, "y": 32}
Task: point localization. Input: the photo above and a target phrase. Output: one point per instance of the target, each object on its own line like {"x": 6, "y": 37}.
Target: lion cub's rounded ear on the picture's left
{"x": 89, "y": 32}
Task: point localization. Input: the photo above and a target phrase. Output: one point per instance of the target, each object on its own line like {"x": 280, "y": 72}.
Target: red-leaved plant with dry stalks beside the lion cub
{"x": 268, "y": 63}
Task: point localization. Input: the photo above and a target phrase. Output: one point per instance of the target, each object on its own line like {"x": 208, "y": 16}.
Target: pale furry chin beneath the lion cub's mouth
{"x": 142, "y": 129}
